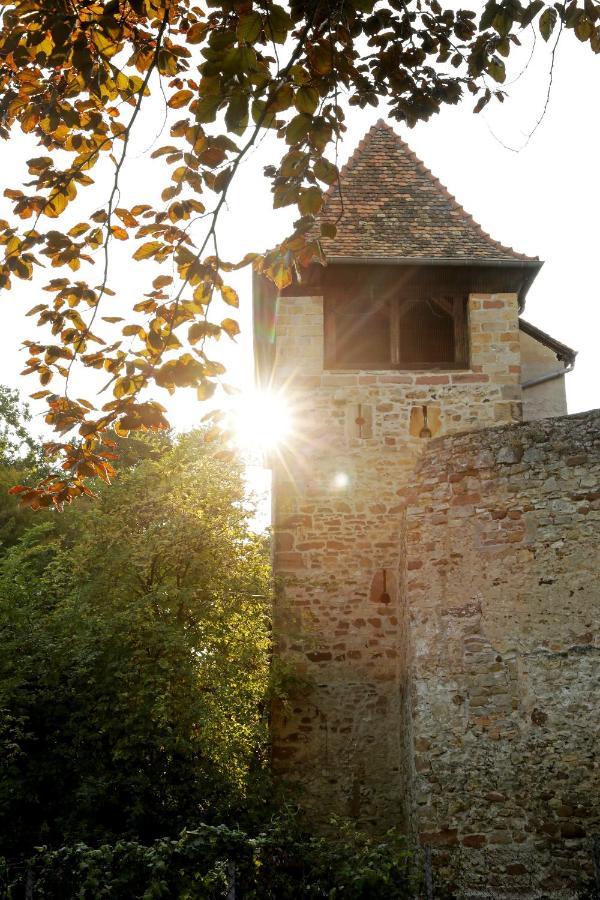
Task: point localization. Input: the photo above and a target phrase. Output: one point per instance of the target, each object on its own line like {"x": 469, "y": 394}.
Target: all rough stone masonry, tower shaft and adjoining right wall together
{"x": 439, "y": 607}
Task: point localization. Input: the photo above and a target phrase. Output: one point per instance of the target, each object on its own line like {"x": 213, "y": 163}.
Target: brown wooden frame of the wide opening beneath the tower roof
{"x": 455, "y": 304}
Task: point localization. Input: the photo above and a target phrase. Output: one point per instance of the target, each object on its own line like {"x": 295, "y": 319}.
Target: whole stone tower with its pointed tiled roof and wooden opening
{"x": 408, "y": 336}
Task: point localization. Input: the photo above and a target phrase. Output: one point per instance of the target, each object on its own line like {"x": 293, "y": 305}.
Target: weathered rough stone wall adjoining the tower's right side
{"x": 503, "y": 540}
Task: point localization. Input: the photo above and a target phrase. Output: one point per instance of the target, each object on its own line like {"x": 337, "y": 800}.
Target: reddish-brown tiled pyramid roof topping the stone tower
{"x": 394, "y": 208}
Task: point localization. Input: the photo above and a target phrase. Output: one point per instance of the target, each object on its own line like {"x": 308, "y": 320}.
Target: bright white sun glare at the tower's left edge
{"x": 261, "y": 420}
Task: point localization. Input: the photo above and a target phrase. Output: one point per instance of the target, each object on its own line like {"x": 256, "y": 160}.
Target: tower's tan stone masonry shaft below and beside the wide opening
{"x": 340, "y": 622}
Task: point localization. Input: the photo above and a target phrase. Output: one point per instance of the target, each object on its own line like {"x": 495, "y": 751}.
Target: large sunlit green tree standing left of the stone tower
{"x": 134, "y": 662}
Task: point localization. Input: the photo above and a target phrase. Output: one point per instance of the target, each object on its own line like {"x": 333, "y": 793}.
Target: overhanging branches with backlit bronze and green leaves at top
{"x": 76, "y": 75}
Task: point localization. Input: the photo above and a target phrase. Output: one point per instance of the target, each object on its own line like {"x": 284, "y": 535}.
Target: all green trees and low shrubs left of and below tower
{"x": 134, "y": 693}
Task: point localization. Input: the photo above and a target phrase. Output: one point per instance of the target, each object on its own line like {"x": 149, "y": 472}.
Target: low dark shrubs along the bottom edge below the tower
{"x": 282, "y": 862}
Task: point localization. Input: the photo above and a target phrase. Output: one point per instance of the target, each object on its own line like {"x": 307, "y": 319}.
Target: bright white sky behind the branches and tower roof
{"x": 542, "y": 200}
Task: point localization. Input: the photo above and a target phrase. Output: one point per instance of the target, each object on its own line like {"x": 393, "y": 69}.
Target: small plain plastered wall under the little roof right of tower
{"x": 541, "y": 401}
